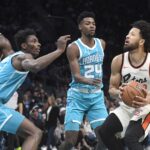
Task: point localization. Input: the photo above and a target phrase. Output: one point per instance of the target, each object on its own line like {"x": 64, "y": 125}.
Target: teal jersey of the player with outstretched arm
{"x": 10, "y": 78}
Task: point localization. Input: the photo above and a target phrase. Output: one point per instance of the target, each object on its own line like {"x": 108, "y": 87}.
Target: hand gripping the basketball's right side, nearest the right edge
{"x": 140, "y": 101}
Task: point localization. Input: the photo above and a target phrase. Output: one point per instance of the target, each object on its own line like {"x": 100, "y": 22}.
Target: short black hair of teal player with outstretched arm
{"x": 22, "y": 35}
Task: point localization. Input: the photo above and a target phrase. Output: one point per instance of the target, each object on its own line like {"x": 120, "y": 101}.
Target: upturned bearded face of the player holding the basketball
{"x": 132, "y": 39}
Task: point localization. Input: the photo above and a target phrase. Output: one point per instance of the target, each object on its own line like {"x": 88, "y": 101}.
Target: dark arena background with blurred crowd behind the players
{"x": 51, "y": 19}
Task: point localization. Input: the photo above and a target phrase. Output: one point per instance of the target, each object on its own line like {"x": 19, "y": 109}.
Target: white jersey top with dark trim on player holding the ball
{"x": 140, "y": 74}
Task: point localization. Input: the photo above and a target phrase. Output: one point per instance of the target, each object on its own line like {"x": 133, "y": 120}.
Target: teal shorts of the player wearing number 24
{"x": 79, "y": 104}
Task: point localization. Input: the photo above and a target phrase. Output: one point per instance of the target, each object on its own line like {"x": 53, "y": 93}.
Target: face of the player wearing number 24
{"x": 88, "y": 27}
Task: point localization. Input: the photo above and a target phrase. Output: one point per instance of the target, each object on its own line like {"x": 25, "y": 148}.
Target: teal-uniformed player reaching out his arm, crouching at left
{"x": 13, "y": 71}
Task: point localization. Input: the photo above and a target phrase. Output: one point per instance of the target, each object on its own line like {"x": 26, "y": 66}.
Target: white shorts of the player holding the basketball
{"x": 126, "y": 114}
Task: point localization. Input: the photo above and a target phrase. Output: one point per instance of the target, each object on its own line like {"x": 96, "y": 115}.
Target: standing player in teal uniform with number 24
{"x": 84, "y": 96}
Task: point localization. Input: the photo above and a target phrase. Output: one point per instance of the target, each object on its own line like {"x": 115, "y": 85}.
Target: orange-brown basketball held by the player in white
{"x": 131, "y": 90}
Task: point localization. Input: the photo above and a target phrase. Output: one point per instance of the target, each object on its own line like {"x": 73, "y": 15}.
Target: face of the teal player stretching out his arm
{"x": 32, "y": 45}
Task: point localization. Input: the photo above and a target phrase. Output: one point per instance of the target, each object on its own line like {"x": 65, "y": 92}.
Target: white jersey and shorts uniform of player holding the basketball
{"x": 142, "y": 75}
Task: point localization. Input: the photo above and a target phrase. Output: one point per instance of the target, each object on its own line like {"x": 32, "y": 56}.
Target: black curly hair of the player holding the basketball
{"x": 144, "y": 28}
